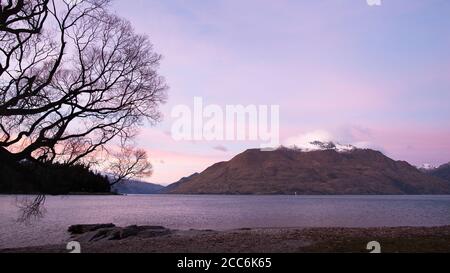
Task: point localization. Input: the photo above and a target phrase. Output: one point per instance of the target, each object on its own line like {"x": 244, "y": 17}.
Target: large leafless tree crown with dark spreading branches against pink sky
{"x": 70, "y": 72}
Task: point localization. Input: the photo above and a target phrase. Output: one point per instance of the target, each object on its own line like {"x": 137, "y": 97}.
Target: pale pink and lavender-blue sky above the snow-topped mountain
{"x": 340, "y": 70}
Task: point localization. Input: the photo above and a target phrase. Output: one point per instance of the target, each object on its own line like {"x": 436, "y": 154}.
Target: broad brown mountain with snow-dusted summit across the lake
{"x": 328, "y": 170}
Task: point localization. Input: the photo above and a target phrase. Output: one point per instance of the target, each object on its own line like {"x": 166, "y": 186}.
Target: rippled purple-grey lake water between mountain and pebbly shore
{"x": 218, "y": 212}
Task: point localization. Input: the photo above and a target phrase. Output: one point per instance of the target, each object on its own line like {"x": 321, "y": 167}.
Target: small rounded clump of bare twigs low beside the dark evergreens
{"x": 127, "y": 163}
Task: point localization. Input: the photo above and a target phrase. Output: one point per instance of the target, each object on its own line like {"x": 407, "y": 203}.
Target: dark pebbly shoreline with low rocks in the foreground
{"x": 143, "y": 239}
